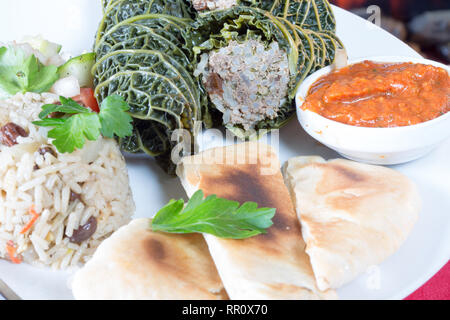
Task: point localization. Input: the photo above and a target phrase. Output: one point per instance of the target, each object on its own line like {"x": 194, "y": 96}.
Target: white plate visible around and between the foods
{"x": 73, "y": 24}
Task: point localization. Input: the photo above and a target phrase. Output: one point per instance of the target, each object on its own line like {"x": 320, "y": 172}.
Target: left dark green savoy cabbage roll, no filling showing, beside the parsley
{"x": 142, "y": 54}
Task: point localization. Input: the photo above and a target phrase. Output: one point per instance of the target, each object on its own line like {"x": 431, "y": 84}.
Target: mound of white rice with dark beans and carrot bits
{"x": 28, "y": 179}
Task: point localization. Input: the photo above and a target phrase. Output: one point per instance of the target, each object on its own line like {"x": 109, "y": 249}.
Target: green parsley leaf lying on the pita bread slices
{"x": 220, "y": 217}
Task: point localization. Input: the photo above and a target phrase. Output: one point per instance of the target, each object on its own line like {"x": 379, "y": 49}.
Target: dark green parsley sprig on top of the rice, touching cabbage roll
{"x": 75, "y": 123}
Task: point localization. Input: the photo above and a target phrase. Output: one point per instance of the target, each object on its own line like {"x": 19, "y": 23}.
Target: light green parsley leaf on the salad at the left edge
{"x": 19, "y": 73}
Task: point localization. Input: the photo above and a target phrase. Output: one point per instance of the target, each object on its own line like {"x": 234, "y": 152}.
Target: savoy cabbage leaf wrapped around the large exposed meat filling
{"x": 307, "y": 50}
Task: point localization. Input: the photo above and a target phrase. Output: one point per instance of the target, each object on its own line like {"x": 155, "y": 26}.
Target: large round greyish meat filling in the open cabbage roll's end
{"x": 247, "y": 82}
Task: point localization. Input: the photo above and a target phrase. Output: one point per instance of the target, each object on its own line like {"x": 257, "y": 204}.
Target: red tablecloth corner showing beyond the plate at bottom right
{"x": 437, "y": 288}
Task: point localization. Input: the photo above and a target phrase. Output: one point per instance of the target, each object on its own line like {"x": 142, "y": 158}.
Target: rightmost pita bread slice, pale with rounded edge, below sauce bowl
{"x": 353, "y": 215}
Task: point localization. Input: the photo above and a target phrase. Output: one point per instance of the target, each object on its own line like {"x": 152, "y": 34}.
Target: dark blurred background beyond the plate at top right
{"x": 423, "y": 24}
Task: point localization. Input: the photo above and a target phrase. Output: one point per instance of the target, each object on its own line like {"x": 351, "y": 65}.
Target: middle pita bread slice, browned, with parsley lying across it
{"x": 268, "y": 266}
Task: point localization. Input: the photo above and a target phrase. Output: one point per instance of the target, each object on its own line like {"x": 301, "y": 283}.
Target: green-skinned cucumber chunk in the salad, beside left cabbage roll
{"x": 79, "y": 67}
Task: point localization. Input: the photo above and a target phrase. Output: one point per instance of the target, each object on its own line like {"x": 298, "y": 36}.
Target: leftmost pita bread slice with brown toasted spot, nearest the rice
{"x": 138, "y": 264}
